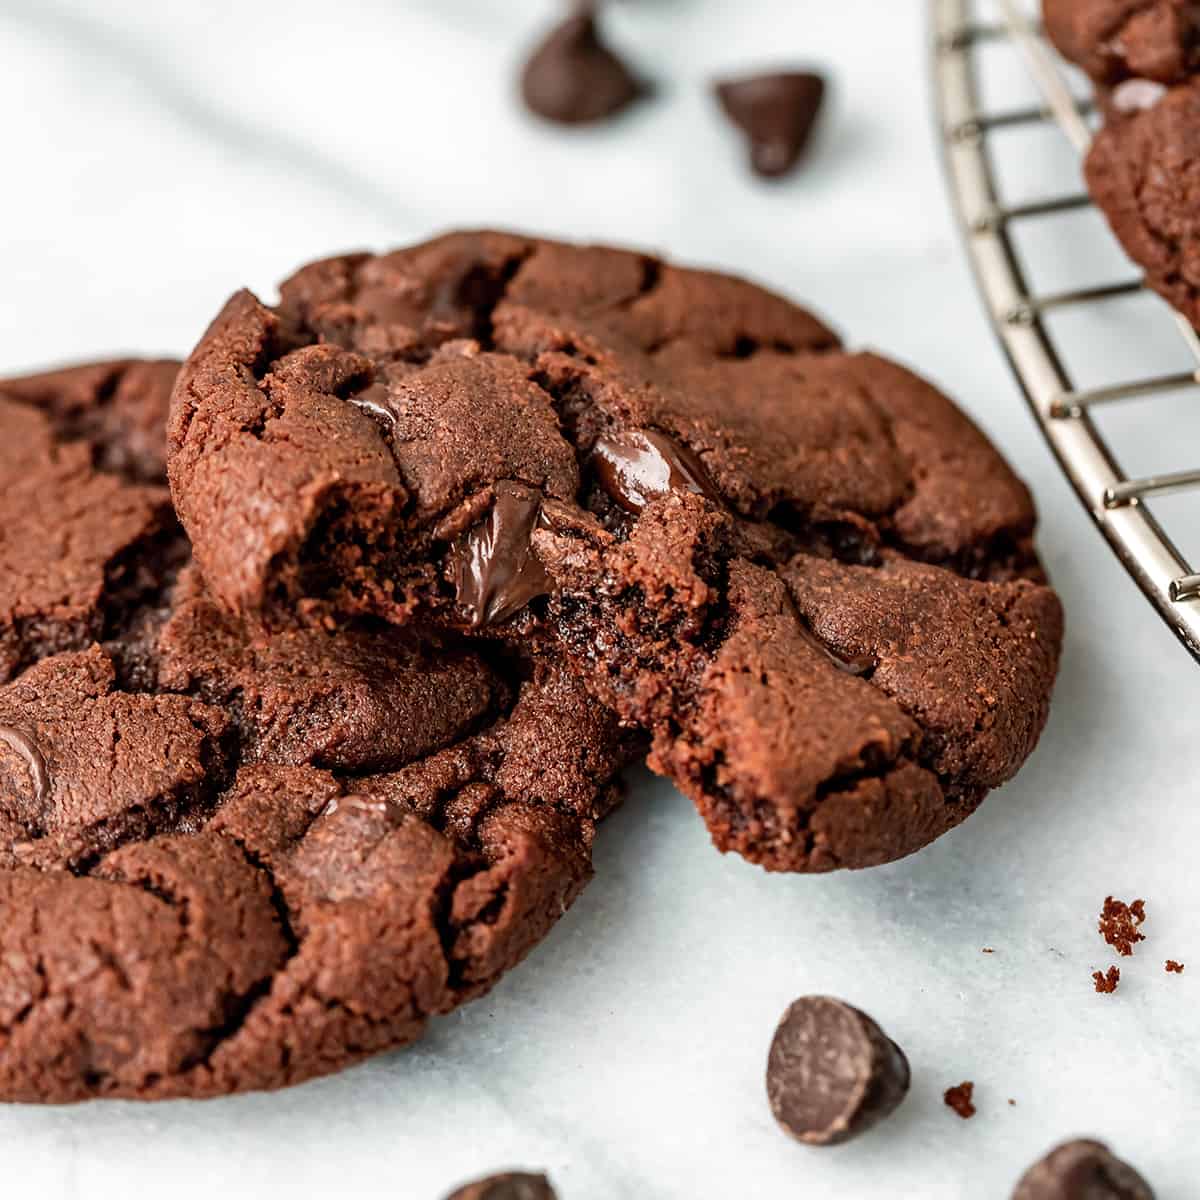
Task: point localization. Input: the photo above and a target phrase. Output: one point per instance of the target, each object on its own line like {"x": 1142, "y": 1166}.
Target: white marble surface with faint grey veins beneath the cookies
{"x": 159, "y": 155}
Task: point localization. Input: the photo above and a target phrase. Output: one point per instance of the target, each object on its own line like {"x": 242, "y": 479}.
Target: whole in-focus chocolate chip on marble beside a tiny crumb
{"x": 832, "y": 1072}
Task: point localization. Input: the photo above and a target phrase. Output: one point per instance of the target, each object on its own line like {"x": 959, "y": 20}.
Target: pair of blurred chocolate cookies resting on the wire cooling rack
{"x": 1144, "y": 166}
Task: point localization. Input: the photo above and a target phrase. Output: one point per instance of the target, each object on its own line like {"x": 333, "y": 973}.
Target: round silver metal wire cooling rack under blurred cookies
{"x": 1119, "y": 505}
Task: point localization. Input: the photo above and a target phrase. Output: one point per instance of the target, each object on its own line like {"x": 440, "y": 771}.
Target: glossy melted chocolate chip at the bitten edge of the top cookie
{"x": 495, "y": 567}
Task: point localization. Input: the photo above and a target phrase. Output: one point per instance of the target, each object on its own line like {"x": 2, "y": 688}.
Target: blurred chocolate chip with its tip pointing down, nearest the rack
{"x": 777, "y": 112}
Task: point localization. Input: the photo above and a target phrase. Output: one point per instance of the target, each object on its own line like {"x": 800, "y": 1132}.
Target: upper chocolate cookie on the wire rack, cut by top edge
{"x": 1115, "y": 40}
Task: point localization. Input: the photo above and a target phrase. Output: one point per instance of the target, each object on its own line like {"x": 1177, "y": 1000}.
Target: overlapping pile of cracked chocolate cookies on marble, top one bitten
{"x": 311, "y": 745}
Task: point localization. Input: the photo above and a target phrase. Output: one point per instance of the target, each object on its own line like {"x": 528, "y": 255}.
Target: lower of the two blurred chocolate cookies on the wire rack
{"x": 1144, "y": 173}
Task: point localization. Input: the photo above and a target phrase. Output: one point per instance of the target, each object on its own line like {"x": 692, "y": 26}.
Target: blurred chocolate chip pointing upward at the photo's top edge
{"x": 574, "y": 79}
